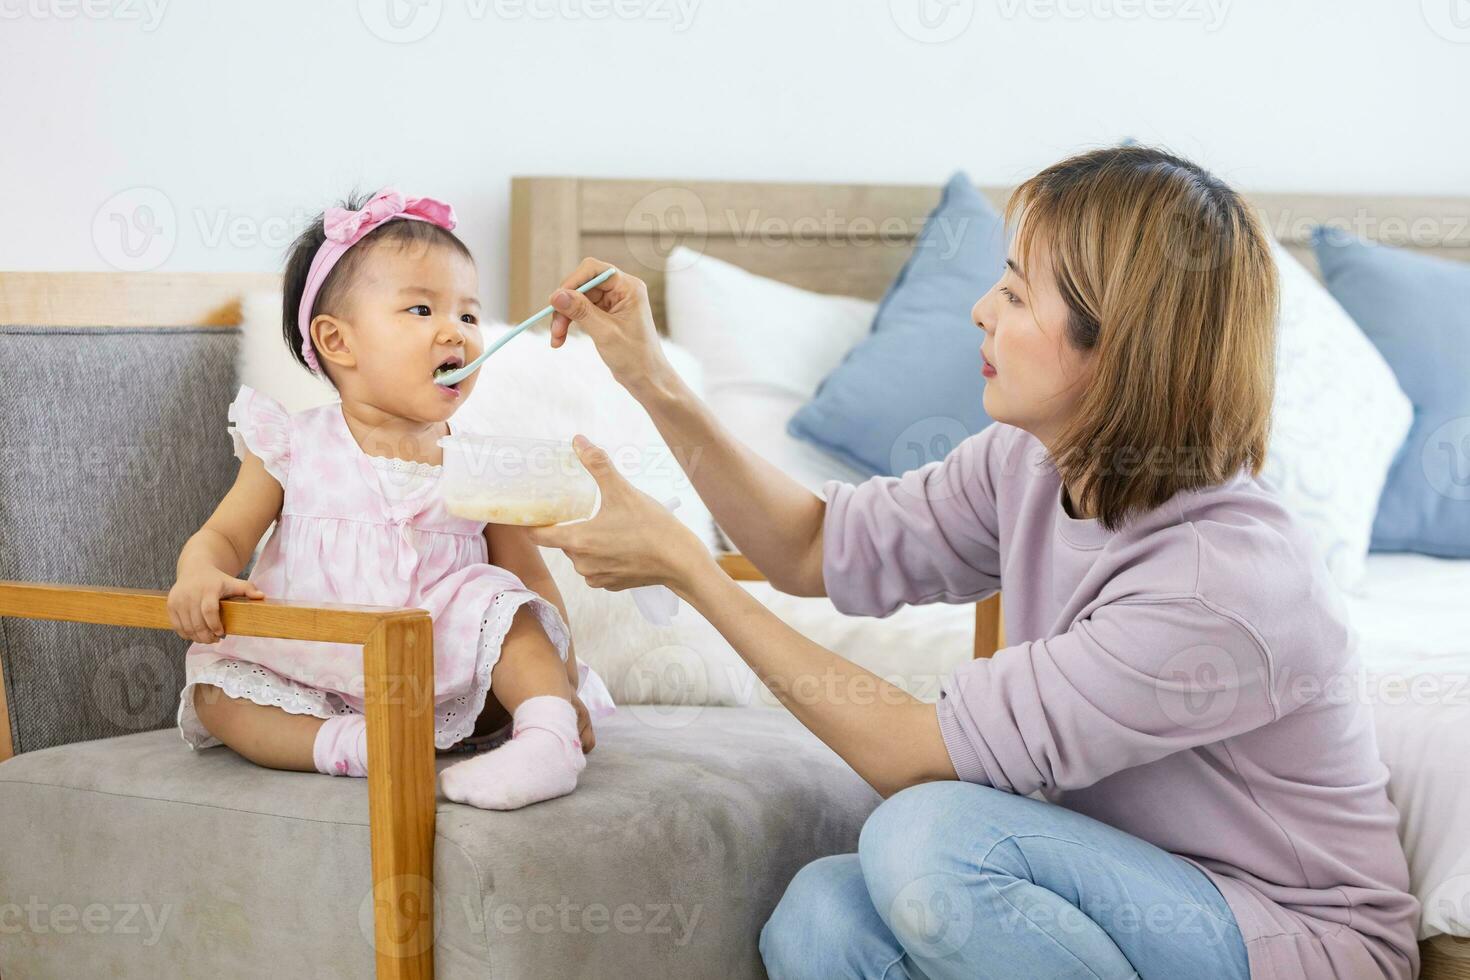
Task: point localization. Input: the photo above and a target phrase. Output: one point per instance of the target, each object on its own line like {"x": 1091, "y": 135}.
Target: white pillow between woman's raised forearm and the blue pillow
{"x": 765, "y": 347}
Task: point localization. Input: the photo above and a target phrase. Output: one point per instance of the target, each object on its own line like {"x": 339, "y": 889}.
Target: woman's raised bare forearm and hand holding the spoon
{"x": 771, "y": 518}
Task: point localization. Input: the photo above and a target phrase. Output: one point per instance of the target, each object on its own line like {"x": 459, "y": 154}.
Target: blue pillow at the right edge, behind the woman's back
{"x": 1416, "y": 311}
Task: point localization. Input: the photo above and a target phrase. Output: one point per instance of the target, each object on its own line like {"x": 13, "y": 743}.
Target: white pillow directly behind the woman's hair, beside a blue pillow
{"x": 1338, "y": 421}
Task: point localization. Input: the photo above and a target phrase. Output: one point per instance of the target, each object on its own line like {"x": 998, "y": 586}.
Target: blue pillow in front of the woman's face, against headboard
{"x": 912, "y": 392}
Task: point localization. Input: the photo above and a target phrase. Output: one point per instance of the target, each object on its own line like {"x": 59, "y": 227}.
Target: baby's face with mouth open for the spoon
{"x": 412, "y": 311}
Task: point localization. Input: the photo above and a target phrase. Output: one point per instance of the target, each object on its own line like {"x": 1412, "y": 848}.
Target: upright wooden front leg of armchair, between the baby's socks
{"x": 399, "y": 677}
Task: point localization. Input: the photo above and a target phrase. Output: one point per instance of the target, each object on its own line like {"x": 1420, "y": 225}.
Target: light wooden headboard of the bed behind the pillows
{"x": 847, "y": 239}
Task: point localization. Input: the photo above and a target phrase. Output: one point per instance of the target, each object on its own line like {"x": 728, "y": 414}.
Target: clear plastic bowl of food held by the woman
{"x": 515, "y": 481}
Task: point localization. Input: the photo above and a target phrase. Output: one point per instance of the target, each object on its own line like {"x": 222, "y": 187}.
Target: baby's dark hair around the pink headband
{"x": 339, "y": 281}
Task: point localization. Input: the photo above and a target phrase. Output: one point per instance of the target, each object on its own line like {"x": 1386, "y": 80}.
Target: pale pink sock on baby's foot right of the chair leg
{"x": 540, "y": 762}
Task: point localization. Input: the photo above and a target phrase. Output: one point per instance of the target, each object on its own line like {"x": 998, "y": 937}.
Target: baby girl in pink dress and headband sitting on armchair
{"x": 379, "y": 296}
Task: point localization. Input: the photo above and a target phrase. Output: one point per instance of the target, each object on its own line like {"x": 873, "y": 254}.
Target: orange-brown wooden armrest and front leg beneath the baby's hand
{"x": 399, "y": 694}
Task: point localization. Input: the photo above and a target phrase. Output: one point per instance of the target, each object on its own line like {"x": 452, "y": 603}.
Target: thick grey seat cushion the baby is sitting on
{"x": 665, "y": 863}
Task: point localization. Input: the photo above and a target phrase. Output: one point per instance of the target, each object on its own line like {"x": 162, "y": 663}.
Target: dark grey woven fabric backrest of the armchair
{"x": 114, "y": 455}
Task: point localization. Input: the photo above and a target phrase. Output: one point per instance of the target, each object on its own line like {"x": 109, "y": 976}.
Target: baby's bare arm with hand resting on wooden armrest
{"x": 220, "y": 550}
